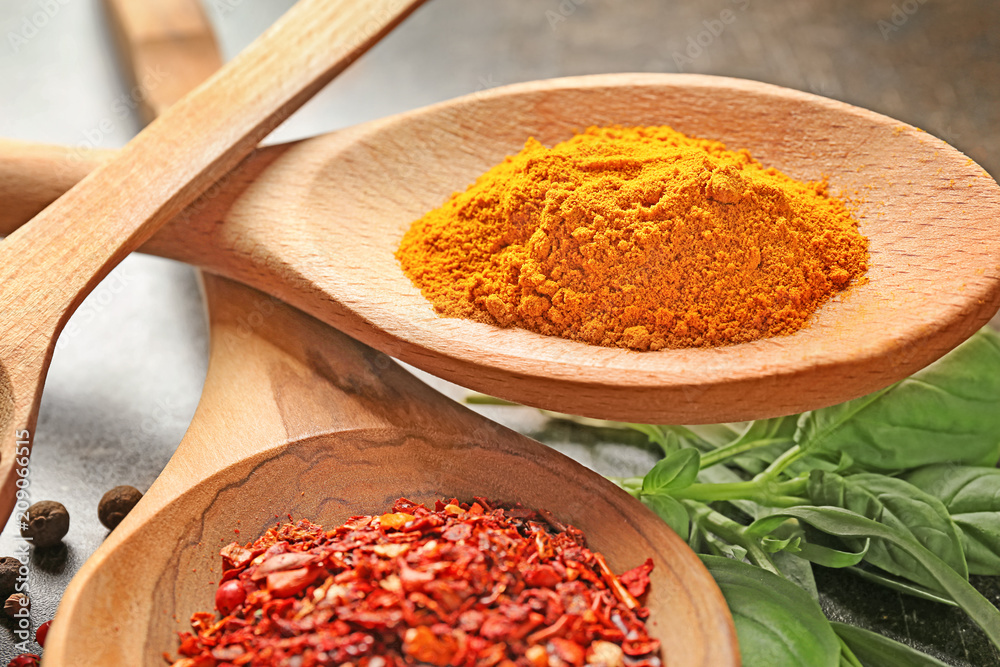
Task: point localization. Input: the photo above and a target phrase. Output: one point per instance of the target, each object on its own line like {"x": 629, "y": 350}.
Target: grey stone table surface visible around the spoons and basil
{"x": 126, "y": 376}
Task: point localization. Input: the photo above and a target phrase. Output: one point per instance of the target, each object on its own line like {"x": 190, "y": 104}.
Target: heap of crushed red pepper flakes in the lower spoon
{"x": 464, "y": 585}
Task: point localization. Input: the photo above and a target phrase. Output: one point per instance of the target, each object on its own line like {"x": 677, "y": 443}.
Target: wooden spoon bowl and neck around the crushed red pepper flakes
{"x": 297, "y": 418}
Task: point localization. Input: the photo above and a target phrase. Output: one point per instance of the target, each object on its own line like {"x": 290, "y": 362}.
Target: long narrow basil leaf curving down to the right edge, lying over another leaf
{"x": 844, "y": 523}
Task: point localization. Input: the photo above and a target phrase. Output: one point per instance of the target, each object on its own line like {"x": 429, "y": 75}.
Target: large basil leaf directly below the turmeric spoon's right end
{"x": 947, "y": 412}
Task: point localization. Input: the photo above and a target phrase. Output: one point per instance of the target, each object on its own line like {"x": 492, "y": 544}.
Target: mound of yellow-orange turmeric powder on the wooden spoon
{"x": 636, "y": 237}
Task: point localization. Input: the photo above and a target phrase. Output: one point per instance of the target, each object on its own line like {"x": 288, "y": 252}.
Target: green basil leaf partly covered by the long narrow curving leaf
{"x": 901, "y": 506}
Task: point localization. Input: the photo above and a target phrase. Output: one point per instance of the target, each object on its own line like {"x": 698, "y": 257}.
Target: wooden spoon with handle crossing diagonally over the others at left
{"x": 47, "y": 268}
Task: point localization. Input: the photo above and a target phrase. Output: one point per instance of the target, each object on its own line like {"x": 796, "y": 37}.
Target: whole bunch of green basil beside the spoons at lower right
{"x": 902, "y": 481}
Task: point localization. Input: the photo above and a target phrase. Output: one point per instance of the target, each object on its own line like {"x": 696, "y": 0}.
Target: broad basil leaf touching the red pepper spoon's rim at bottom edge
{"x": 777, "y": 623}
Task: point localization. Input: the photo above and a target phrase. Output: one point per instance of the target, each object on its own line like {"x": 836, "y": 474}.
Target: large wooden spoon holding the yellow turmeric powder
{"x": 317, "y": 222}
